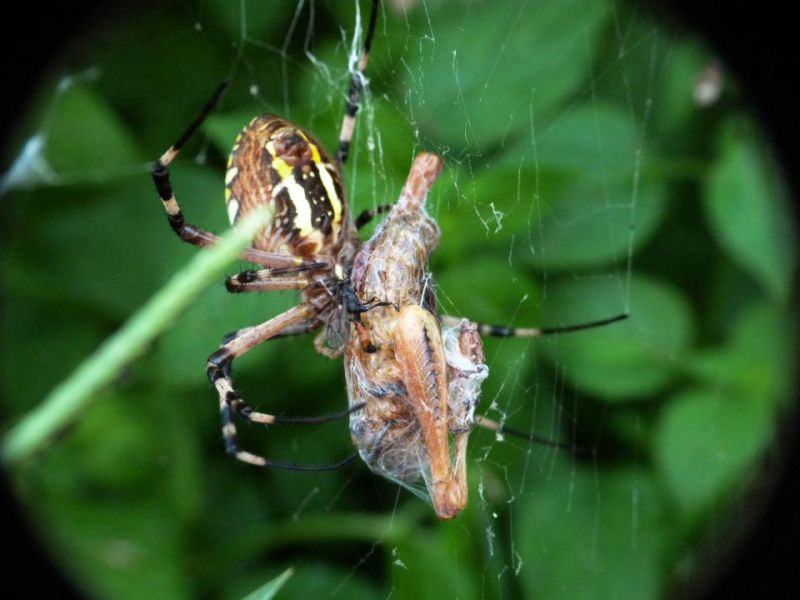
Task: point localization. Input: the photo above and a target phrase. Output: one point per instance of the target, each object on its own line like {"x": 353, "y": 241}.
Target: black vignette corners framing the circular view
{"x": 755, "y": 41}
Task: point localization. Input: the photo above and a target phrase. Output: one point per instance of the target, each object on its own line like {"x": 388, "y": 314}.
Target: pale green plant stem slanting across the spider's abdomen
{"x": 64, "y": 403}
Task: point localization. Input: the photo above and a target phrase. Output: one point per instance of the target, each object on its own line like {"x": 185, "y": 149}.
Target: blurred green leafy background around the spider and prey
{"x": 582, "y": 181}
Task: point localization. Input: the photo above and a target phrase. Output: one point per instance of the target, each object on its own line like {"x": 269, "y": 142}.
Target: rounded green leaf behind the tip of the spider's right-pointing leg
{"x": 627, "y": 360}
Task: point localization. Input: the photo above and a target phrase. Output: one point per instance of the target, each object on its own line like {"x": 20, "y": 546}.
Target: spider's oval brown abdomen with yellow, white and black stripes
{"x": 279, "y": 165}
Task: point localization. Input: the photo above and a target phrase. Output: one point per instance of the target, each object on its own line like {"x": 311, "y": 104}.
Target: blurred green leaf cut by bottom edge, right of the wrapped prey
{"x": 589, "y": 534}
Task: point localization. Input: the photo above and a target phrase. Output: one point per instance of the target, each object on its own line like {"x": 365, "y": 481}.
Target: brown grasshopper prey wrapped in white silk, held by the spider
{"x": 419, "y": 383}
